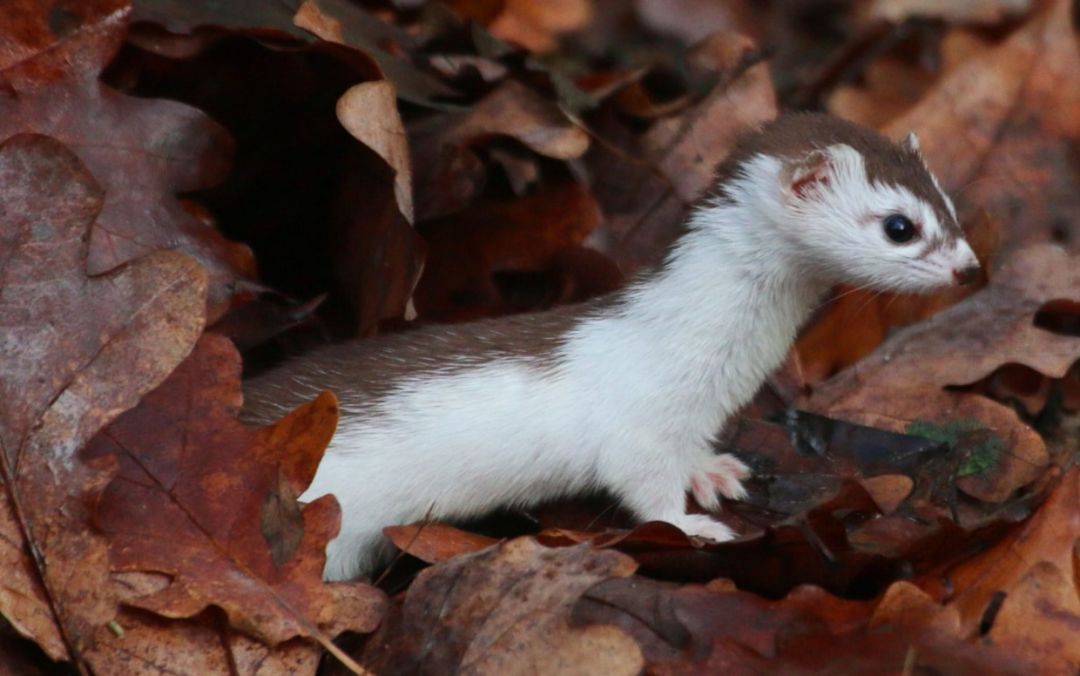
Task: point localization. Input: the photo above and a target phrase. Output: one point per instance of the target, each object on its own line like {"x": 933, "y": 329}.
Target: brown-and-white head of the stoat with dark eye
{"x": 859, "y": 209}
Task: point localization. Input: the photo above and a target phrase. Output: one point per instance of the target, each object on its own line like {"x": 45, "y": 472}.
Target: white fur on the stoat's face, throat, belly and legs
{"x": 637, "y": 396}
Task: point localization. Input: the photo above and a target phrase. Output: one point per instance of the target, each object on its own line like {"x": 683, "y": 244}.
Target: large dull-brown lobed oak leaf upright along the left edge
{"x": 75, "y": 353}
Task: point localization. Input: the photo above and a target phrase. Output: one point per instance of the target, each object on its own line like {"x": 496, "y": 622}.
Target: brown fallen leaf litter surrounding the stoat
{"x": 915, "y": 498}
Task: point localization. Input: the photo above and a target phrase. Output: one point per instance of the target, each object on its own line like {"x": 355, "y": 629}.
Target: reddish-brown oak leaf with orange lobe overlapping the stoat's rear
{"x": 208, "y": 507}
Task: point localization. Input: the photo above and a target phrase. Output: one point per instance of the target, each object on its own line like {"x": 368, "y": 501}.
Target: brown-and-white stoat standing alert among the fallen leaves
{"x": 626, "y": 393}
